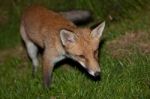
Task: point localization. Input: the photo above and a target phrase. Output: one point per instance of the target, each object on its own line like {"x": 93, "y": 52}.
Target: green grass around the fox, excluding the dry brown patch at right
{"x": 124, "y": 78}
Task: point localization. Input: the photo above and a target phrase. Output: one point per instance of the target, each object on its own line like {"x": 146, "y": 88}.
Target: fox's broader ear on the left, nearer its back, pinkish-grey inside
{"x": 67, "y": 37}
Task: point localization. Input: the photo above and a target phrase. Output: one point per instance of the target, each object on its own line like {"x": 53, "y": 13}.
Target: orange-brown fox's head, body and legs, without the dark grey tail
{"x": 59, "y": 38}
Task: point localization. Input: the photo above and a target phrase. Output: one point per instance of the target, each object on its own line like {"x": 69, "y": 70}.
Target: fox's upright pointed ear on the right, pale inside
{"x": 97, "y": 32}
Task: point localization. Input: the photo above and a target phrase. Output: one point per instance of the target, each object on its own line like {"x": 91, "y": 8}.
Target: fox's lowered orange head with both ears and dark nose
{"x": 82, "y": 45}
